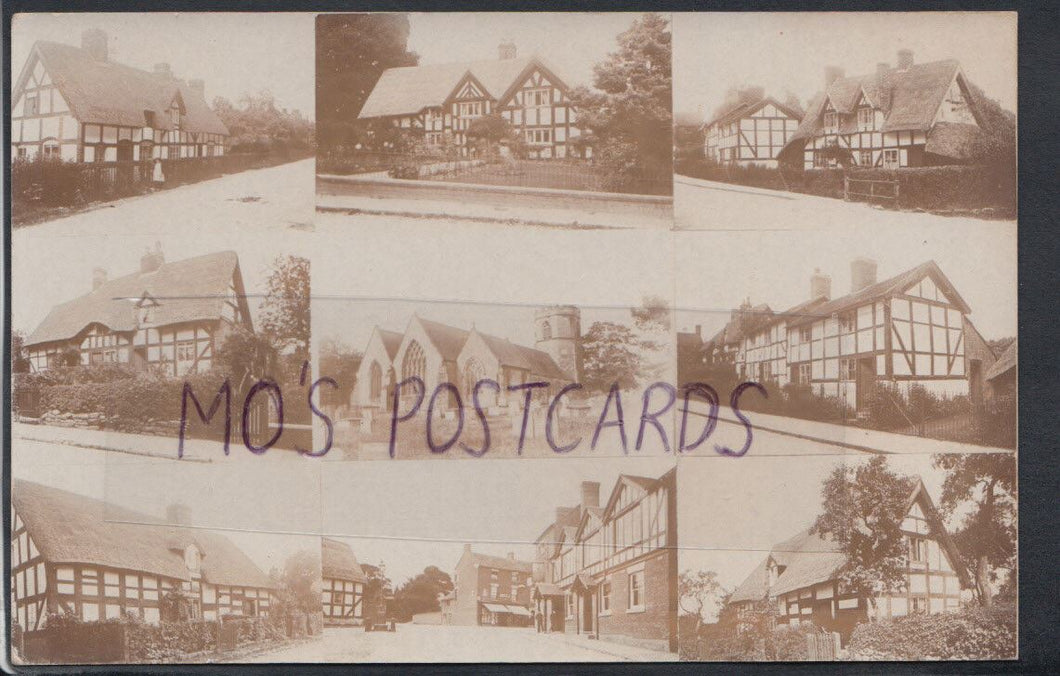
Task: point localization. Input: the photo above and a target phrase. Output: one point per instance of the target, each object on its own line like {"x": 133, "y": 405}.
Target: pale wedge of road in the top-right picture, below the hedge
{"x": 701, "y": 205}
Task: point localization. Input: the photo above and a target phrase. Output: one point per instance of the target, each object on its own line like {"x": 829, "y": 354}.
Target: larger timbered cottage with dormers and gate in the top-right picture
{"x": 914, "y": 115}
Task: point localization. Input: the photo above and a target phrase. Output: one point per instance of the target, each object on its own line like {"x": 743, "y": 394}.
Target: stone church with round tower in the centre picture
{"x": 439, "y": 353}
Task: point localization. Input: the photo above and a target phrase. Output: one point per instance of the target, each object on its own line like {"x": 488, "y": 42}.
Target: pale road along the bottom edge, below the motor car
{"x": 433, "y": 643}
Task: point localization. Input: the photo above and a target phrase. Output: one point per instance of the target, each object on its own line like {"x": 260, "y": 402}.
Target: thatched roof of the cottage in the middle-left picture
{"x": 186, "y": 291}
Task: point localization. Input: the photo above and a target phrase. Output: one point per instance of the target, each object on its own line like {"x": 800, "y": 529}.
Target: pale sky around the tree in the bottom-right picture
{"x": 772, "y": 500}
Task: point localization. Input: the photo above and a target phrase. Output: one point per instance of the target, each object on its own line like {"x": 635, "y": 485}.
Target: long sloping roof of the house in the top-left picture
{"x": 108, "y": 93}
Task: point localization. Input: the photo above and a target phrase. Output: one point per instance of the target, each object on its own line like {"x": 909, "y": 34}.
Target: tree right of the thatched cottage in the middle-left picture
{"x": 286, "y": 311}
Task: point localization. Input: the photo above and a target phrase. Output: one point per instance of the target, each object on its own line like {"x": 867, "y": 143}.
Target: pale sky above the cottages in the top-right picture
{"x": 789, "y": 52}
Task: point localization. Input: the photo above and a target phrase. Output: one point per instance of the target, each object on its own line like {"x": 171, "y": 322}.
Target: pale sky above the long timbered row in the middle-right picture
{"x": 981, "y": 262}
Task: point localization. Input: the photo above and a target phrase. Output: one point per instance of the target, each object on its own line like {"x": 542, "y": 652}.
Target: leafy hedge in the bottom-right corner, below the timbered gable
{"x": 975, "y": 633}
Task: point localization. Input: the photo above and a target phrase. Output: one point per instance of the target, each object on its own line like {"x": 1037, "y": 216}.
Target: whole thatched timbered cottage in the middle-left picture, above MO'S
{"x": 170, "y": 316}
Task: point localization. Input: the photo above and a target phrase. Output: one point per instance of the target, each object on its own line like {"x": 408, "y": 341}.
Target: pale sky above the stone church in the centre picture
{"x": 527, "y": 268}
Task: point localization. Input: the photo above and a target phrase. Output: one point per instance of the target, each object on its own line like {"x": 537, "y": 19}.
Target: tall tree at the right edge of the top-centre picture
{"x": 630, "y": 114}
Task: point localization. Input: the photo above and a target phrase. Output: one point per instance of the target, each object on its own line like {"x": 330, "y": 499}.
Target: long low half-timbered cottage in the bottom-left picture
{"x": 78, "y": 557}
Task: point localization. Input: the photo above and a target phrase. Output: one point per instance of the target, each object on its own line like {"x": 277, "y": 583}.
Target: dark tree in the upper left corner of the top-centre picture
{"x": 352, "y": 52}
